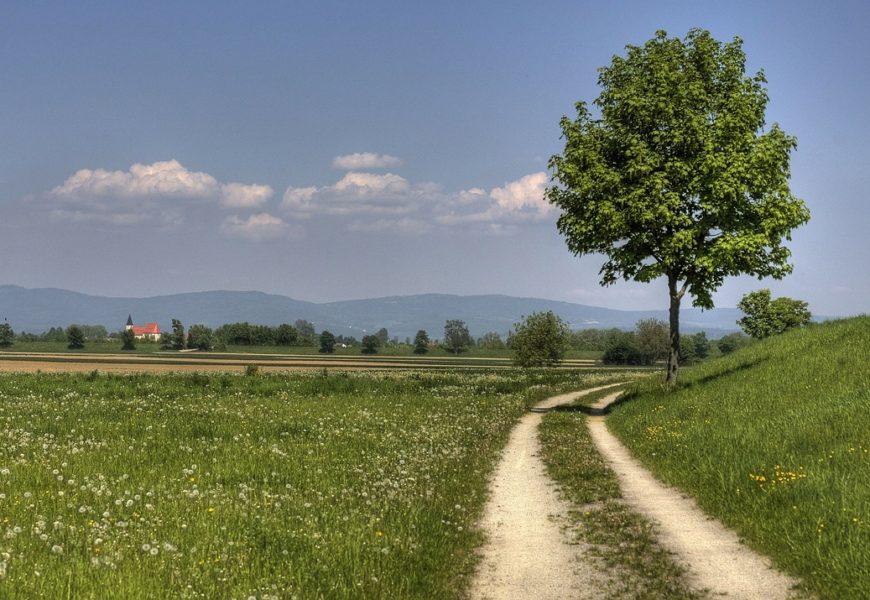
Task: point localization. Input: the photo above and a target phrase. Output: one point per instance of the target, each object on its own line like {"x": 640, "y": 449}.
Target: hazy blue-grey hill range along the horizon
{"x": 35, "y": 310}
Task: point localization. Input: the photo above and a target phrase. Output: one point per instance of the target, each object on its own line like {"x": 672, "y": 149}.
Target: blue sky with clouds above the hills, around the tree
{"x": 338, "y": 150}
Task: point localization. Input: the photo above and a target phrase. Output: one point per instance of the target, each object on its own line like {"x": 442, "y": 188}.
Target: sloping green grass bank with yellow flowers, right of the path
{"x": 774, "y": 440}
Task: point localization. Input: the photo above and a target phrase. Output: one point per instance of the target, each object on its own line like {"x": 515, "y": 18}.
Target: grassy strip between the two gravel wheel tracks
{"x": 632, "y": 562}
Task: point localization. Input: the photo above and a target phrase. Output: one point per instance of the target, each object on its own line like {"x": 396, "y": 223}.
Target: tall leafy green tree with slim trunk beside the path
{"x": 678, "y": 178}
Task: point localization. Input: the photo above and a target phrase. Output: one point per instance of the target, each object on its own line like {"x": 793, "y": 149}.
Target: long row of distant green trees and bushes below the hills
{"x": 541, "y": 339}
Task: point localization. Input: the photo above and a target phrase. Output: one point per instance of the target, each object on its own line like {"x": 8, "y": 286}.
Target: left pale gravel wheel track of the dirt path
{"x": 527, "y": 555}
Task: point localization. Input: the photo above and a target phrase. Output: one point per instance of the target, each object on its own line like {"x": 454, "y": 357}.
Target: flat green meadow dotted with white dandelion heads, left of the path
{"x": 349, "y": 485}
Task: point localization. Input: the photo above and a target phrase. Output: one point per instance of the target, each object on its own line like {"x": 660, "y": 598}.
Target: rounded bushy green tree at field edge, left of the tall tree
{"x": 539, "y": 340}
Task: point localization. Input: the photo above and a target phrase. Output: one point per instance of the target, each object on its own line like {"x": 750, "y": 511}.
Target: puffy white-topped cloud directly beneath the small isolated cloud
{"x": 355, "y": 193}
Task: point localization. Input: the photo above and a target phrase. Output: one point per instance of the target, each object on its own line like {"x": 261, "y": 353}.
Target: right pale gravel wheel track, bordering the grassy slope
{"x": 713, "y": 555}
